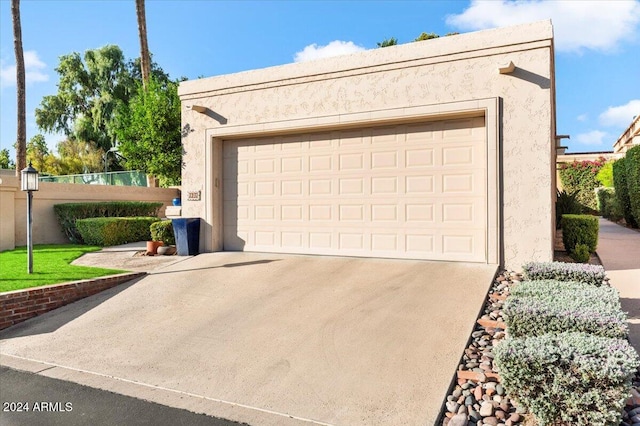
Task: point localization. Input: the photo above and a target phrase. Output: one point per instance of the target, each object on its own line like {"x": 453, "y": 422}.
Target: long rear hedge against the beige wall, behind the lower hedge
{"x": 68, "y": 213}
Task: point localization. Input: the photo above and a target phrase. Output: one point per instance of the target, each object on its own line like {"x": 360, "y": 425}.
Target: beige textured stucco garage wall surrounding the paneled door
{"x": 377, "y": 85}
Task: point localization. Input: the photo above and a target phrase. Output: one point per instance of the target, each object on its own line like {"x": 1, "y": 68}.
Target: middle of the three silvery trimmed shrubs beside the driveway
{"x": 543, "y": 307}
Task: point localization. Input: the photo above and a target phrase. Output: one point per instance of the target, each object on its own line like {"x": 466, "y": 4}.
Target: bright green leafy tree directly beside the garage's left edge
{"x": 148, "y": 131}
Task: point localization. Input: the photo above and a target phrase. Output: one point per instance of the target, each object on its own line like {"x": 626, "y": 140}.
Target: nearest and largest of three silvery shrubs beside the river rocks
{"x": 575, "y": 378}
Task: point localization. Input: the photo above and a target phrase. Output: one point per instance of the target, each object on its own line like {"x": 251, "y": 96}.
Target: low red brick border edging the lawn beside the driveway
{"x": 20, "y": 305}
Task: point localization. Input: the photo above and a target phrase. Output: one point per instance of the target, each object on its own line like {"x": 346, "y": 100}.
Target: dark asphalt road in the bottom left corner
{"x": 31, "y": 399}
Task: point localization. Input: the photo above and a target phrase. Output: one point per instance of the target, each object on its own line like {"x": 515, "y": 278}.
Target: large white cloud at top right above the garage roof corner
{"x": 596, "y": 25}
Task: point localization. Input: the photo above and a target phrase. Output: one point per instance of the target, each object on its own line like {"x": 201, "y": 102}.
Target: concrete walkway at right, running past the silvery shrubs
{"x": 619, "y": 252}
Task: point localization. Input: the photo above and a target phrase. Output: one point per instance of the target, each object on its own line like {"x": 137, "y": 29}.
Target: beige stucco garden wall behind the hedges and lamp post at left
{"x": 13, "y": 207}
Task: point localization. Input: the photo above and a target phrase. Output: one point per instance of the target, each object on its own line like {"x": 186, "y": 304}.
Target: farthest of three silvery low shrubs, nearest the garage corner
{"x": 588, "y": 274}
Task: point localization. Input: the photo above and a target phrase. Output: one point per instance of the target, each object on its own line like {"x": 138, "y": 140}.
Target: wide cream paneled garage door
{"x": 415, "y": 191}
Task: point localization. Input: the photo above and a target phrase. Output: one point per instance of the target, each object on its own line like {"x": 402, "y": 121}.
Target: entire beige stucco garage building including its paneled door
{"x": 438, "y": 150}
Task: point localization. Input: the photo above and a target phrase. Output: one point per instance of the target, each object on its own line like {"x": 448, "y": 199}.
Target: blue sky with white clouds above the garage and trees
{"x": 597, "y": 45}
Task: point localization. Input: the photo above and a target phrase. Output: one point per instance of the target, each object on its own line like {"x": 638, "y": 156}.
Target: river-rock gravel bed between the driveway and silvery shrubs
{"x": 478, "y": 398}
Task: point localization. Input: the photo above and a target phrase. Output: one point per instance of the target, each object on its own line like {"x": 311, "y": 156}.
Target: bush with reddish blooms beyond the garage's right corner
{"x": 580, "y": 177}
